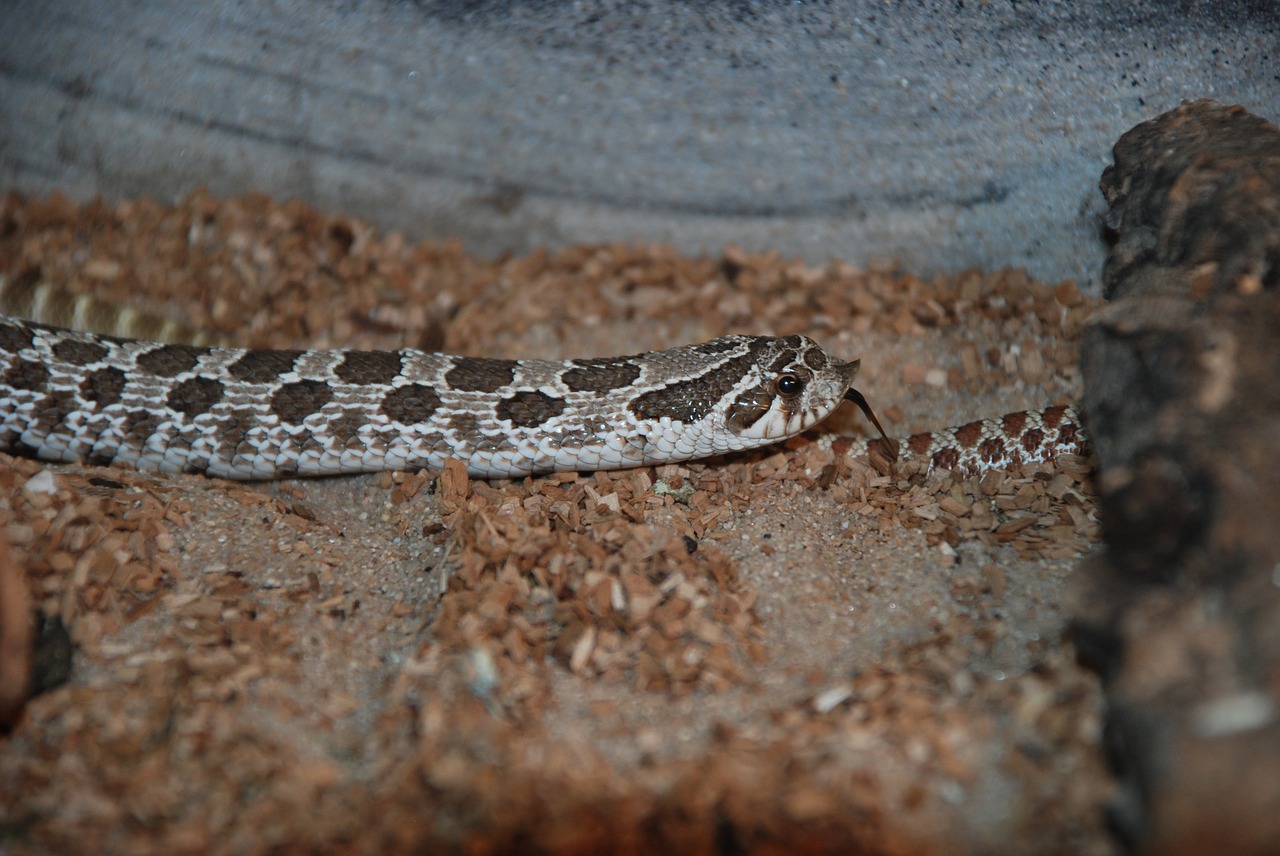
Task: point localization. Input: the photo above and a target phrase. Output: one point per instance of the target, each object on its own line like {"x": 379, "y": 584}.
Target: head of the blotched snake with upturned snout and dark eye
{"x": 797, "y": 386}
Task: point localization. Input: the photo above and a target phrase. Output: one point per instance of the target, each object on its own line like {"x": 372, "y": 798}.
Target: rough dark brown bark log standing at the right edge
{"x": 1183, "y": 615}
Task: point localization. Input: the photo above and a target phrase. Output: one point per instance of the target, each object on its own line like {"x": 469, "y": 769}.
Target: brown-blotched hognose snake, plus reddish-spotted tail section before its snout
{"x": 74, "y": 396}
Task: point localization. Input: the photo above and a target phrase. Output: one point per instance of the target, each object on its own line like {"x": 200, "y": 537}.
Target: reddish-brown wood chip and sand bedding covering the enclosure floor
{"x": 565, "y": 663}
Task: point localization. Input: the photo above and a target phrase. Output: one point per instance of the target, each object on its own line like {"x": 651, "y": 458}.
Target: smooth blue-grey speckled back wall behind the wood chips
{"x": 944, "y": 134}
